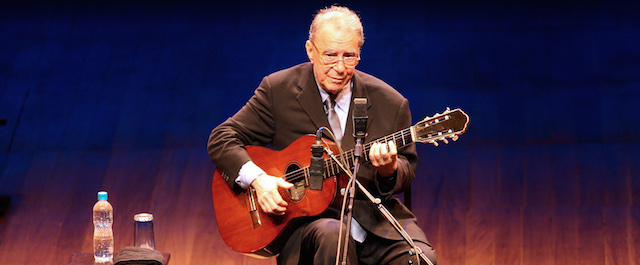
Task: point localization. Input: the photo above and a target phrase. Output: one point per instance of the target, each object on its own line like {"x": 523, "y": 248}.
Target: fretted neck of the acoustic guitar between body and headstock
{"x": 401, "y": 139}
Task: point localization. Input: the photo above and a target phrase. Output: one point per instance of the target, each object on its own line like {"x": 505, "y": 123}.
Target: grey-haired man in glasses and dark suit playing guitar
{"x": 295, "y": 102}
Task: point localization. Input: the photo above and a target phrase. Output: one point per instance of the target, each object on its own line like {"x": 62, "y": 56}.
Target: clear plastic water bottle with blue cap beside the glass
{"x": 102, "y": 229}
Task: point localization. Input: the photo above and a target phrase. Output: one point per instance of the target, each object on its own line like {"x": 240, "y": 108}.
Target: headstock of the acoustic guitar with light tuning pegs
{"x": 441, "y": 126}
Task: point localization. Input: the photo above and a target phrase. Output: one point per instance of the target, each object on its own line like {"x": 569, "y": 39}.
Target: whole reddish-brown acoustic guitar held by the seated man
{"x": 246, "y": 229}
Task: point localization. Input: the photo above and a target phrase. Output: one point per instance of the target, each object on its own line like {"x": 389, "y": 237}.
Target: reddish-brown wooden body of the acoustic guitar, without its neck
{"x": 242, "y": 224}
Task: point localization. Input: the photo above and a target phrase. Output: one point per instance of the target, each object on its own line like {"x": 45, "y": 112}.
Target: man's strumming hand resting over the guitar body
{"x": 269, "y": 198}
